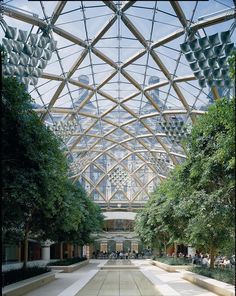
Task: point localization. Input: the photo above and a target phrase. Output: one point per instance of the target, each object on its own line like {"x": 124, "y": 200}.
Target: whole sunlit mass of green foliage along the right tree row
{"x": 196, "y": 204}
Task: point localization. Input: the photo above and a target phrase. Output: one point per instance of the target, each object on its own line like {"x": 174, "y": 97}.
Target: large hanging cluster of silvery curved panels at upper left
{"x": 29, "y": 52}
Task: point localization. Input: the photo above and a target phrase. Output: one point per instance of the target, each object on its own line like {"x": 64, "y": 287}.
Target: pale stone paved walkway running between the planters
{"x": 90, "y": 280}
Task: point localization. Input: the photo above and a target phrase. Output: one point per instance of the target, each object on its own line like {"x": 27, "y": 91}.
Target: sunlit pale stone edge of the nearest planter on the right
{"x": 220, "y": 288}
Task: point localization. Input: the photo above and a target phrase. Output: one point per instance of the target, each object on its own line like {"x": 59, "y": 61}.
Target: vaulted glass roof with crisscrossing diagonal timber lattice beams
{"x": 111, "y": 79}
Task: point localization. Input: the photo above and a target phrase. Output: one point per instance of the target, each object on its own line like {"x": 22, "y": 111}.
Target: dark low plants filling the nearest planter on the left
{"x": 16, "y": 275}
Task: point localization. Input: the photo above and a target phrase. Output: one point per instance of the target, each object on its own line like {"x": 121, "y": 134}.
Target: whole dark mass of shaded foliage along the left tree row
{"x": 36, "y": 189}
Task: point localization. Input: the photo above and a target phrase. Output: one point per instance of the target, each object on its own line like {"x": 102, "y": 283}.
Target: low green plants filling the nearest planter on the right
{"x": 219, "y": 274}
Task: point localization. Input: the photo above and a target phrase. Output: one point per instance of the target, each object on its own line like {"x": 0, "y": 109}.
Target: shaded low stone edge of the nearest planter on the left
{"x": 25, "y": 286}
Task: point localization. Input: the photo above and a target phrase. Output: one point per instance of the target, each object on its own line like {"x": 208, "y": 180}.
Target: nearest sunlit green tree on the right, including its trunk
{"x": 211, "y": 159}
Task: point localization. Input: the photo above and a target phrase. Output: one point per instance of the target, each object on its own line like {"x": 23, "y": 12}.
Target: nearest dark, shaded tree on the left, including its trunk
{"x": 33, "y": 165}
